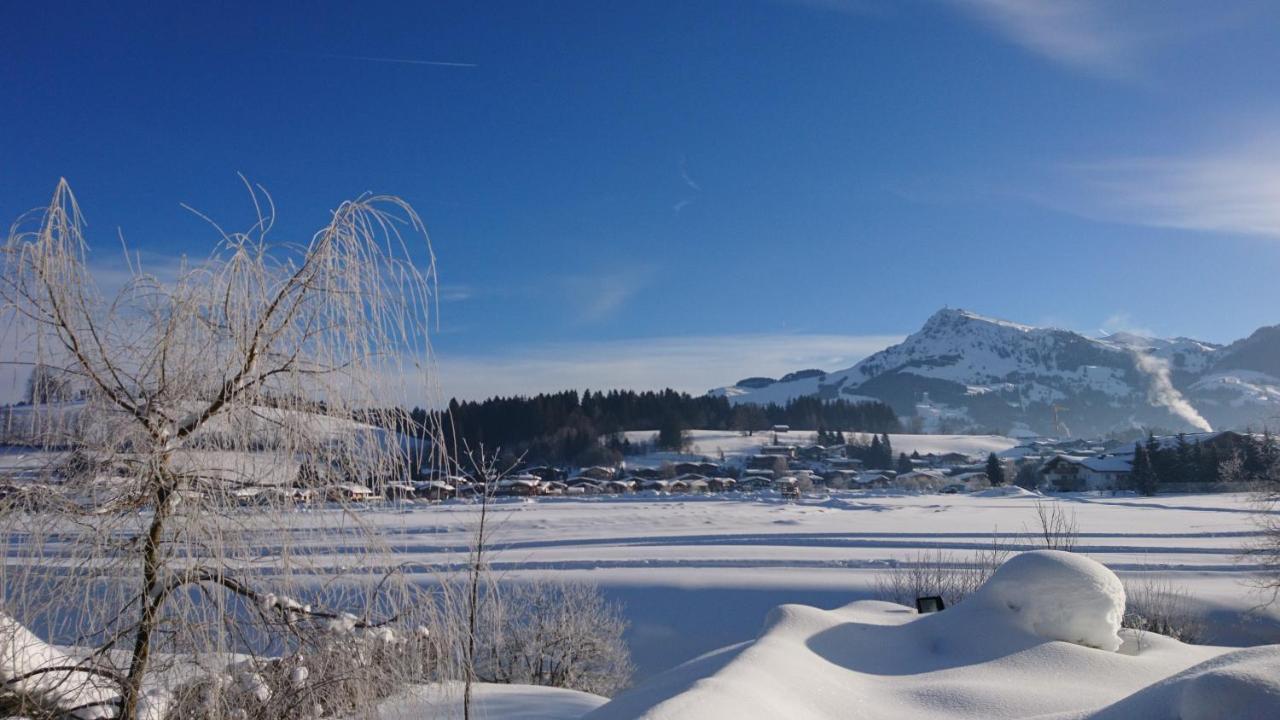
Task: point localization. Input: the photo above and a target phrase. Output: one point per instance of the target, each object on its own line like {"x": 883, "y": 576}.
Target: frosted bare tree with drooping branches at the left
{"x": 166, "y": 537}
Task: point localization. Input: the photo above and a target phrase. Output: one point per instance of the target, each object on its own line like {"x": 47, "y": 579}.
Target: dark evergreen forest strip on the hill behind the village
{"x": 565, "y": 427}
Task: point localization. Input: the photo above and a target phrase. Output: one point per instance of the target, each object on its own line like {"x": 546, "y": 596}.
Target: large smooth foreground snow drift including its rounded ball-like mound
{"x": 1041, "y": 639}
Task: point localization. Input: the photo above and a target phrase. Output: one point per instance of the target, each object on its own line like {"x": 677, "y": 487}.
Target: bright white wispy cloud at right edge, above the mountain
{"x": 1233, "y": 190}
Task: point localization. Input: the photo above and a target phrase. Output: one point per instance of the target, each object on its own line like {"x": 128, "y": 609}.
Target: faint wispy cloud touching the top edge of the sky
{"x": 1080, "y": 34}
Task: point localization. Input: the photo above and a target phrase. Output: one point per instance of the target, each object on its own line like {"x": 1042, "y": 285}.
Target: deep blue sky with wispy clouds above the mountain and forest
{"x": 650, "y": 194}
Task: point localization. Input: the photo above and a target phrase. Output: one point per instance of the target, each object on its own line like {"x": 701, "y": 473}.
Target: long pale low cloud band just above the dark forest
{"x": 692, "y": 364}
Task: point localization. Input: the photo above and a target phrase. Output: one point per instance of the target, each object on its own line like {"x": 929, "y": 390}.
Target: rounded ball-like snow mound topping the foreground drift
{"x": 1058, "y": 596}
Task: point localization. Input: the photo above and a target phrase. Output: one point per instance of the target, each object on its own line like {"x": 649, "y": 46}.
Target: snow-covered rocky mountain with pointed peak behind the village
{"x": 967, "y": 371}
